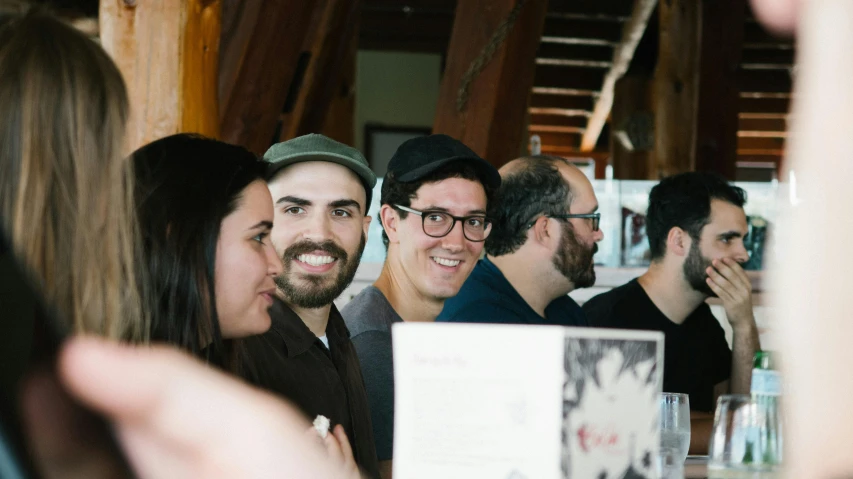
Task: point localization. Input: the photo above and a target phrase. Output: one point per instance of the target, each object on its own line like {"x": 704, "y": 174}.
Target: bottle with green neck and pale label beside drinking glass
{"x": 766, "y": 389}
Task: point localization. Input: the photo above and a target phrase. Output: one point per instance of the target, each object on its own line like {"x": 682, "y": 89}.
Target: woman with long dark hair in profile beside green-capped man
{"x": 205, "y": 214}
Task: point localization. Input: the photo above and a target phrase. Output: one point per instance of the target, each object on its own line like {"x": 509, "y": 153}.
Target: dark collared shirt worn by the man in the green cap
{"x": 291, "y": 361}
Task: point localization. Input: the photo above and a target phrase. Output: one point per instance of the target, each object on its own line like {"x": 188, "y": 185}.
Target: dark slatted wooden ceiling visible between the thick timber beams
{"x": 575, "y": 53}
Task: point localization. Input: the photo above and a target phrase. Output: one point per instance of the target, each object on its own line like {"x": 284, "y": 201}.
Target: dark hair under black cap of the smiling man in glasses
{"x": 401, "y": 193}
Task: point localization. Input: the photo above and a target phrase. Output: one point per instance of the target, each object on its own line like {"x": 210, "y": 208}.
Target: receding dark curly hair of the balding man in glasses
{"x": 536, "y": 187}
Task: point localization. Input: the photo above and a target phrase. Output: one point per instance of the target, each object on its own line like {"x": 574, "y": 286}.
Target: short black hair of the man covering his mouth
{"x": 684, "y": 201}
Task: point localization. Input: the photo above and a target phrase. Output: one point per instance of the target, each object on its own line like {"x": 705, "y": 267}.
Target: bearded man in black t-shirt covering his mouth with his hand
{"x": 696, "y": 226}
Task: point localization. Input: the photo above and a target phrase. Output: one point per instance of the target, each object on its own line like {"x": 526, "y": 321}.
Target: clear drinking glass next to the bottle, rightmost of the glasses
{"x": 746, "y": 435}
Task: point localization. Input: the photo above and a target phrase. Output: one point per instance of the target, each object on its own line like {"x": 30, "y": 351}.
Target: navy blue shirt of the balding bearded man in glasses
{"x": 488, "y": 297}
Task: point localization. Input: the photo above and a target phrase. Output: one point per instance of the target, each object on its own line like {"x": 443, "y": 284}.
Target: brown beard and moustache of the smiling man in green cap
{"x": 316, "y": 294}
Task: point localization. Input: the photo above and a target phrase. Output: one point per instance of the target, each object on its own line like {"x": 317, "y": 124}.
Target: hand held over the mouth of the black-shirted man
{"x": 729, "y": 281}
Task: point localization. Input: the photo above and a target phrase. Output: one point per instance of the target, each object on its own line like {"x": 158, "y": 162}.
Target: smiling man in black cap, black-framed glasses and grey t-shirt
{"x": 433, "y": 212}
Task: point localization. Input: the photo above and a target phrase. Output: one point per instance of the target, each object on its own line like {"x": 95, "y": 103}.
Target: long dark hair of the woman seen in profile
{"x": 186, "y": 185}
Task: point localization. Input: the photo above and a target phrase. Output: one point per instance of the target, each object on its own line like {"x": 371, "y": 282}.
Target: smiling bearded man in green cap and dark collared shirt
{"x": 321, "y": 191}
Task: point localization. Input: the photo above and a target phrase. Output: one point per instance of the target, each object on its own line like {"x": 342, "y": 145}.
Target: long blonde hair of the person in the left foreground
{"x": 66, "y": 195}
